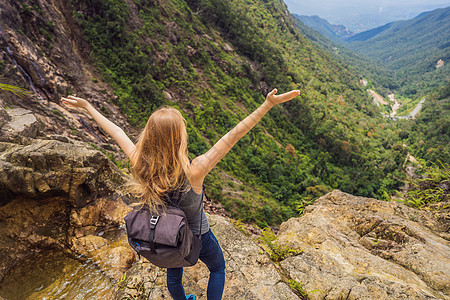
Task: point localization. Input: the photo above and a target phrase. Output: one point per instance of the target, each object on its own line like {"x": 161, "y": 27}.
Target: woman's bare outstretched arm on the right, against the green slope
{"x": 203, "y": 164}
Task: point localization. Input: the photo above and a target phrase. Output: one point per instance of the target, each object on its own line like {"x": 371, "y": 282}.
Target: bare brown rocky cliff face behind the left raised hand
{"x": 42, "y": 50}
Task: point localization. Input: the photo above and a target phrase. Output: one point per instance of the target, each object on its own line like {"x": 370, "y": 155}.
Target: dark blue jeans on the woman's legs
{"x": 212, "y": 255}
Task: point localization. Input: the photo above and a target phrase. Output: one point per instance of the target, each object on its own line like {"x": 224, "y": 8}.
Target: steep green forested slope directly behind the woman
{"x": 215, "y": 60}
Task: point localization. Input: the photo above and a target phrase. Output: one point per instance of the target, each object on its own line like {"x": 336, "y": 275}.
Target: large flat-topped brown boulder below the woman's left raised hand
{"x": 48, "y": 166}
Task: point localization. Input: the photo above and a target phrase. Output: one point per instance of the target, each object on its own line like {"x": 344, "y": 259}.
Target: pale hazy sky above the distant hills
{"x": 363, "y": 14}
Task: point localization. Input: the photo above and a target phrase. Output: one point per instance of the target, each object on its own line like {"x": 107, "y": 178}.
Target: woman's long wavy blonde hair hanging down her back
{"x": 160, "y": 161}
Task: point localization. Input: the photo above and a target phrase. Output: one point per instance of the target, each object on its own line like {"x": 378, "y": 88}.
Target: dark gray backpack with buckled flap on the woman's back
{"x": 165, "y": 239}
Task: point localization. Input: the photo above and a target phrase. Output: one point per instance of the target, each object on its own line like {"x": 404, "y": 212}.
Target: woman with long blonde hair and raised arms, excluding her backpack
{"x": 160, "y": 164}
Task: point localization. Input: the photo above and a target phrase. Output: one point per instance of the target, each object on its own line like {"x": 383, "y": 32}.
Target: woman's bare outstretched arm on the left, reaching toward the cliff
{"x": 112, "y": 129}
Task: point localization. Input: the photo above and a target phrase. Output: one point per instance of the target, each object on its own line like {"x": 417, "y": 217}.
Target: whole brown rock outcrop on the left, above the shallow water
{"x": 60, "y": 194}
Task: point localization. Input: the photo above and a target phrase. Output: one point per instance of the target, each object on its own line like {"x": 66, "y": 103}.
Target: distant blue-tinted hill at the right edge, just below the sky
{"x": 402, "y": 44}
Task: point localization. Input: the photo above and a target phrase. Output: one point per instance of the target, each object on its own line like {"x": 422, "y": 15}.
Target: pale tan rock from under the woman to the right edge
{"x": 350, "y": 248}
